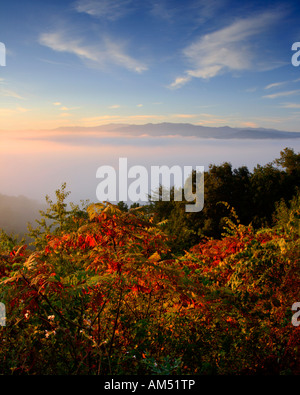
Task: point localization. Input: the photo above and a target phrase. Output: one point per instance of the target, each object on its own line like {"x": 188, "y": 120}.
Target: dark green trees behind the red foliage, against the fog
{"x": 253, "y": 195}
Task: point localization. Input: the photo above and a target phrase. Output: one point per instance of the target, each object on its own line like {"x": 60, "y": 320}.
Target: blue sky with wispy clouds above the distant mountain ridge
{"x": 90, "y": 62}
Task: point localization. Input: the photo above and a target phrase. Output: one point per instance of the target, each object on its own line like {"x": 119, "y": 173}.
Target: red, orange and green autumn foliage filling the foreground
{"x": 102, "y": 292}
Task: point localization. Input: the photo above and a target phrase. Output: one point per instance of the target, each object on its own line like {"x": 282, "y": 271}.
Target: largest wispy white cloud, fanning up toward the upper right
{"x": 226, "y": 49}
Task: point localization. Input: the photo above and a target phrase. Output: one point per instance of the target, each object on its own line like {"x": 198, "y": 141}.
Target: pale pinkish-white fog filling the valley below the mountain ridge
{"x": 36, "y": 165}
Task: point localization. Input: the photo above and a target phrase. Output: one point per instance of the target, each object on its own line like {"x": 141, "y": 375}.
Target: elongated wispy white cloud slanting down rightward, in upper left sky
{"x": 96, "y": 55}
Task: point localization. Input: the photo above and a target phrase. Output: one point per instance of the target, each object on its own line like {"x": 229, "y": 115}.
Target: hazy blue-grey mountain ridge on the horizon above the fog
{"x": 183, "y": 129}
